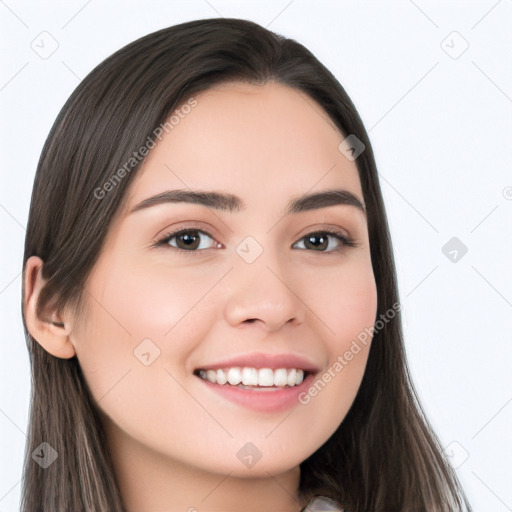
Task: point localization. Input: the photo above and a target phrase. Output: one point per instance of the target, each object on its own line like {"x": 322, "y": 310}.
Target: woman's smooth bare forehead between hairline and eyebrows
{"x": 258, "y": 141}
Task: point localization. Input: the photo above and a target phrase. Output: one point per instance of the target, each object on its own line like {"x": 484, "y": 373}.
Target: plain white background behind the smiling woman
{"x": 440, "y": 122}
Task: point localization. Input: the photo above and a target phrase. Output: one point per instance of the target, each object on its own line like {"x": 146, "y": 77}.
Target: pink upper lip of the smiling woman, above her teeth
{"x": 261, "y": 360}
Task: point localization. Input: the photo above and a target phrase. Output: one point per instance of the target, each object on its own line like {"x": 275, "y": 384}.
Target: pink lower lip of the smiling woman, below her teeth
{"x": 266, "y": 400}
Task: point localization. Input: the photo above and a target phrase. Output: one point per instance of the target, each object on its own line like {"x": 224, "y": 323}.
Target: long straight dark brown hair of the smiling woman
{"x": 384, "y": 456}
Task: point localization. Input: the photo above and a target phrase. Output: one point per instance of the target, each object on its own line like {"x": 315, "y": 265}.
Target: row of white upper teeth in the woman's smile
{"x": 263, "y": 377}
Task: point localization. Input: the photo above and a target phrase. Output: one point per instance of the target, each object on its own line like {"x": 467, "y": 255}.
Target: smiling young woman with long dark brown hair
{"x": 210, "y": 300}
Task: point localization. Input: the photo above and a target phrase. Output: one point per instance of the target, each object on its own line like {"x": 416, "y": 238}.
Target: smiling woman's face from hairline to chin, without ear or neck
{"x": 251, "y": 281}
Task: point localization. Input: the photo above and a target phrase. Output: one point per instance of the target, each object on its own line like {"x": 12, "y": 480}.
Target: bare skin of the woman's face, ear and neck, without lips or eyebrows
{"x": 174, "y": 442}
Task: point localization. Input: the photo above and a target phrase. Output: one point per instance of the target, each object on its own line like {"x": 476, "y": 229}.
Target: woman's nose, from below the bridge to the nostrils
{"x": 261, "y": 294}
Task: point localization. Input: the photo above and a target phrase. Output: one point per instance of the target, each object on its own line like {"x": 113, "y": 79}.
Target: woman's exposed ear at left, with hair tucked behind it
{"x": 52, "y": 331}
